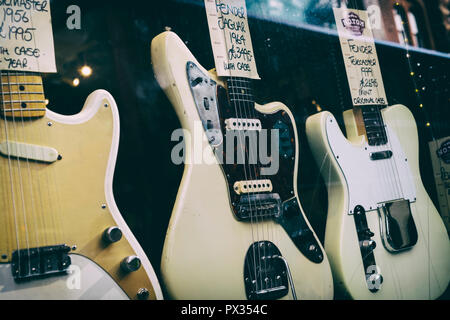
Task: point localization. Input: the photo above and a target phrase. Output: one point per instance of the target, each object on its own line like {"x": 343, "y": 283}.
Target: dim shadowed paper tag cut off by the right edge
{"x": 440, "y": 158}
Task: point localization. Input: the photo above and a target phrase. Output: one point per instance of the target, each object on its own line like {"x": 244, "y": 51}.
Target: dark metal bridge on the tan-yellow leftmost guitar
{"x": 31, "y": 263}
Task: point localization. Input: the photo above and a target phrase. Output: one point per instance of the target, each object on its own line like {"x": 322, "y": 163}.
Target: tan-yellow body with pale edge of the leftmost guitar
{"x": 69, "y": 201}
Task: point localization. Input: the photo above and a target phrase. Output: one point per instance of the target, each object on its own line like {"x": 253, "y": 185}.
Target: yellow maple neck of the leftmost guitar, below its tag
{"x": 21, "y": 95}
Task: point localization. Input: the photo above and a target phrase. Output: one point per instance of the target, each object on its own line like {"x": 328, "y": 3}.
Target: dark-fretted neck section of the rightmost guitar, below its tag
{"x": 370, "y": 123}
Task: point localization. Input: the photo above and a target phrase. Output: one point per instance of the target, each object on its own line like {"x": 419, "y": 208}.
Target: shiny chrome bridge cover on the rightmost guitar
{"x": 397, "y": 227}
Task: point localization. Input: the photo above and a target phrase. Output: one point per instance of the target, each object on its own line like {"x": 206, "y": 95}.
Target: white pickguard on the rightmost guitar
{"x": 371, "y": 182}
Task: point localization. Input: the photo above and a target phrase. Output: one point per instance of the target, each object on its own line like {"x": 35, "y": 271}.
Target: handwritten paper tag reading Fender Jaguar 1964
{"x": 230, "y": 38}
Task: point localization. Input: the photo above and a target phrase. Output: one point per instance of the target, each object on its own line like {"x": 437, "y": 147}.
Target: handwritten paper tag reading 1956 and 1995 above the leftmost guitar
{"x": 26, "y": 37}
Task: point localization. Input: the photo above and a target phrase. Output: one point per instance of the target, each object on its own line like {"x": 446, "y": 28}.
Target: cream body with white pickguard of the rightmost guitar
{"x": 353, "y": 178}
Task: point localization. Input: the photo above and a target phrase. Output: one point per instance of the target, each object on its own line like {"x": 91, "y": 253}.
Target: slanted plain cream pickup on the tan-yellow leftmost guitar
{"x": 28, "y": 151}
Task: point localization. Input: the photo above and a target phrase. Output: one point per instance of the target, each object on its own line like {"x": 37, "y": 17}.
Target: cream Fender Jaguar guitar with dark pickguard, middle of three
{"x": 235, "y": 233}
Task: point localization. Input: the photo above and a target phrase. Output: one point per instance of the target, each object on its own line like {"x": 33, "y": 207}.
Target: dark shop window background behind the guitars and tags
{"x": 298, "y": 66}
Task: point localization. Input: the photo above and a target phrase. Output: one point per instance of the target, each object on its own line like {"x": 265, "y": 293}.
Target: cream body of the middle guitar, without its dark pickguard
{"x": 206, "y": 245}
